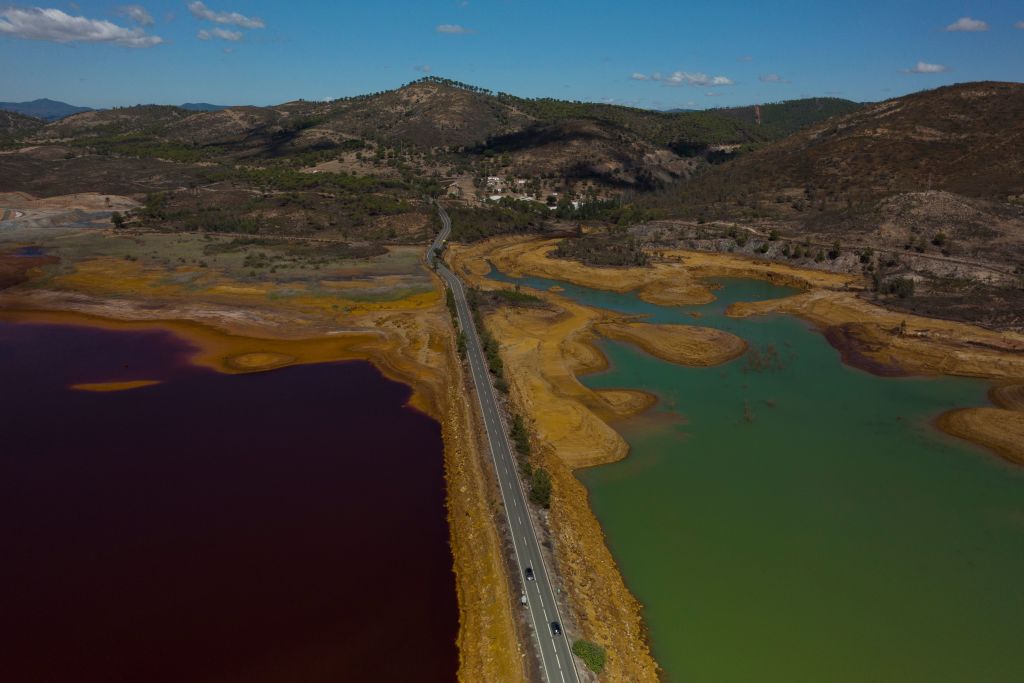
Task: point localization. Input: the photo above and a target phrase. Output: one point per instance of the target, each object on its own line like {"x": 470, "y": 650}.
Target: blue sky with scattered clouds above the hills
{"x": 661, "y": 55}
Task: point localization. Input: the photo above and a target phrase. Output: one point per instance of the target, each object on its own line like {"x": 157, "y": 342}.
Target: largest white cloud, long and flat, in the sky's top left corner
{"x": 58, "y": 27}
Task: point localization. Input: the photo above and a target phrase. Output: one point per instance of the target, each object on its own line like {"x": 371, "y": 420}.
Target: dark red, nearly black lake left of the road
{"x": 280, "y": 527}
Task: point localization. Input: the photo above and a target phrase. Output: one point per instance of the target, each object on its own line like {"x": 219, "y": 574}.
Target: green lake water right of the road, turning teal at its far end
{"x": 806, "y": 523}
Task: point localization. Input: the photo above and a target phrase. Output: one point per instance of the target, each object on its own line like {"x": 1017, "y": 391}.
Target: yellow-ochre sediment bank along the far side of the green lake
{"x": 869, "y": 336}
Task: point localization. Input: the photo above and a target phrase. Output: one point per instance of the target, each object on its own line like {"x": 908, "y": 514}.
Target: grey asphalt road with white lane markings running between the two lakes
{"x": 558, "y": 662}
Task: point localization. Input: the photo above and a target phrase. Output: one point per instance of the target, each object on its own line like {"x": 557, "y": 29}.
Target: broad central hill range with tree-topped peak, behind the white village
{"x": 436, "y": 125}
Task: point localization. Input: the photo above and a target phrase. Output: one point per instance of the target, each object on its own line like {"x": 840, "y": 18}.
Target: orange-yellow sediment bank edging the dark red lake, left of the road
{"x": 409, "y": 340}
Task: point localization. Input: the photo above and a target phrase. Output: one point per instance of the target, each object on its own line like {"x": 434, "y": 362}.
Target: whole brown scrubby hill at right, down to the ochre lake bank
{"x": 927, "y": 189}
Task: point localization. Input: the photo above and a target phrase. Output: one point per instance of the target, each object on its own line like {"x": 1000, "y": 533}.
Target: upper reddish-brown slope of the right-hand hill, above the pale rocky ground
{"x": 967, "y": 140}
